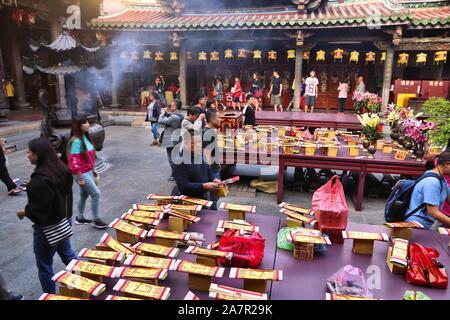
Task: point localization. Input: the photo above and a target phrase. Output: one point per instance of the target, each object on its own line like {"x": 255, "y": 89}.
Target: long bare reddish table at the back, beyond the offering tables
{"x": 313, "y": 120}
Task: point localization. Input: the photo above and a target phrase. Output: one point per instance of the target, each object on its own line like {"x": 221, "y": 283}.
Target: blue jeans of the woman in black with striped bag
{"x": 44, "y": 258}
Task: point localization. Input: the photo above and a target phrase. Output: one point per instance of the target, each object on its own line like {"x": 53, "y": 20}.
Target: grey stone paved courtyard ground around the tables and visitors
{"x": 136, "y": 169}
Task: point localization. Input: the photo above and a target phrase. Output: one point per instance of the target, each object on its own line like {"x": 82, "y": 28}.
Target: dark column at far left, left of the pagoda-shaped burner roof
{"x": 16, "y": 63}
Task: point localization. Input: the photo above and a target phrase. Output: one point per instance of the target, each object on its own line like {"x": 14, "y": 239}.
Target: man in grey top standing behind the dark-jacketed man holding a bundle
{"x": 209, "y": 139}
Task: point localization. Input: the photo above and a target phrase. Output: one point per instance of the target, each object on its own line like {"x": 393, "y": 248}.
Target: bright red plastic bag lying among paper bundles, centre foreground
{"x": 248, "y": 249}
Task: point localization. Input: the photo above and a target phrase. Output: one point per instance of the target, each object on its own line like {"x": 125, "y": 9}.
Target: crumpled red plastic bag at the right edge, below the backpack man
{"x": 424, "y": 269}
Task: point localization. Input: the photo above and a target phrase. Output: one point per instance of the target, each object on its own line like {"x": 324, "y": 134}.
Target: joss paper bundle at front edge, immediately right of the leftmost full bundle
{"x": 142, "y": 289}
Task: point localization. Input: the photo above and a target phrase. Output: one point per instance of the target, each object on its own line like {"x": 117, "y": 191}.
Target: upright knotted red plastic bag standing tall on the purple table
{"x": 330, "y": 206}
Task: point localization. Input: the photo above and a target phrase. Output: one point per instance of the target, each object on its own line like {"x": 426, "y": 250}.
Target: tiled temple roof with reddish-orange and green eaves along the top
{"x": 358, "y": 13}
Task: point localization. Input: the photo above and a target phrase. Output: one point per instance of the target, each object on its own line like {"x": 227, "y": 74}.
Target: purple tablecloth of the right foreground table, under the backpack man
{"x": 306, "y": 280}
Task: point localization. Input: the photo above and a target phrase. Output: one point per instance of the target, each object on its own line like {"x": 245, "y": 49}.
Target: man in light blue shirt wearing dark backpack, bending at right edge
{"x": 422, "y": 200}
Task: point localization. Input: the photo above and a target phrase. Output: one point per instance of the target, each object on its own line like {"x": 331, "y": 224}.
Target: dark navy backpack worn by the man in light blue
{"x": 398, "y": 201}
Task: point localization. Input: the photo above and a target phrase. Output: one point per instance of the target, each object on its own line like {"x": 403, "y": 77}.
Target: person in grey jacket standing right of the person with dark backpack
{"x": 171, "y": 120}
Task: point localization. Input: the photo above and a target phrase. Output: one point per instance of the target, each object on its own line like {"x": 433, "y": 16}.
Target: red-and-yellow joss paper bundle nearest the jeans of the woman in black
{"x": 77, "y": 286}
